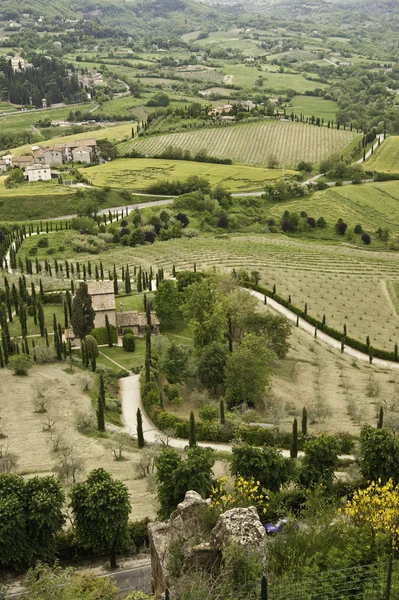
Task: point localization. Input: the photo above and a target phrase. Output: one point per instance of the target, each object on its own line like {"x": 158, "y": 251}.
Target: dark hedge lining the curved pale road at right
{"x": 334, "y": 333}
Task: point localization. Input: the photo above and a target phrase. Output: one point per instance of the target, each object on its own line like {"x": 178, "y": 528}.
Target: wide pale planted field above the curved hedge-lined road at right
{"x": 347, "y": 284}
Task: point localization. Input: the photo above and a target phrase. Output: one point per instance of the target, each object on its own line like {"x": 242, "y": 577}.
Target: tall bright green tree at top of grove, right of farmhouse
{"x": 205, "y": 307}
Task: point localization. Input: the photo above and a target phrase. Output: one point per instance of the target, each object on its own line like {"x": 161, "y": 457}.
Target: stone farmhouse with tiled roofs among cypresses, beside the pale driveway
{"x": 104, "y": 305}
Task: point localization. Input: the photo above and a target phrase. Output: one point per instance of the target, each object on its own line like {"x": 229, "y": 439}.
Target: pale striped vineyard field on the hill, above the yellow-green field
{"x": 253, "y": 143}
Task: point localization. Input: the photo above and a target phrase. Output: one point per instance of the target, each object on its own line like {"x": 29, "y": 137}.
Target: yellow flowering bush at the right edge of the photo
{"x": 378, "y": 507}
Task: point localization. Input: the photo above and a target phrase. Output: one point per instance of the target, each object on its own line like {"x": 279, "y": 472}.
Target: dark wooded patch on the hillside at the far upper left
{"x": 47, "y": 79}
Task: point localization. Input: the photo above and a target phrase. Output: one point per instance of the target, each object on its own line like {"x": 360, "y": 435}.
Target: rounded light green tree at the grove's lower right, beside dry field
{"x": 248, "y": 371}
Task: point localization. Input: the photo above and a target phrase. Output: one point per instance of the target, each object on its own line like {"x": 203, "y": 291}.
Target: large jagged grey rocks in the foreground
{"x": 184, "y": 543}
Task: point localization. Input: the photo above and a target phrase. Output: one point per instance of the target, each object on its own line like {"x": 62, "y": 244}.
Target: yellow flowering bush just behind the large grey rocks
{"x": 242, "y": 494}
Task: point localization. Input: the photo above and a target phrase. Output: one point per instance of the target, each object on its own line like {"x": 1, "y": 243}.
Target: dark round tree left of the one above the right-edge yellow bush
{"x": 320, "y": 461}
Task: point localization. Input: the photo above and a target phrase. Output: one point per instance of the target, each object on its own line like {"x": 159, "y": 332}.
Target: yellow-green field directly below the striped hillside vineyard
{"x": 138, "y": 173}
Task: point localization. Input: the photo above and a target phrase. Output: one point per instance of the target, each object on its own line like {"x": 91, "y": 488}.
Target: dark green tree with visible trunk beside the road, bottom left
{"x": 101, "y": 508}
